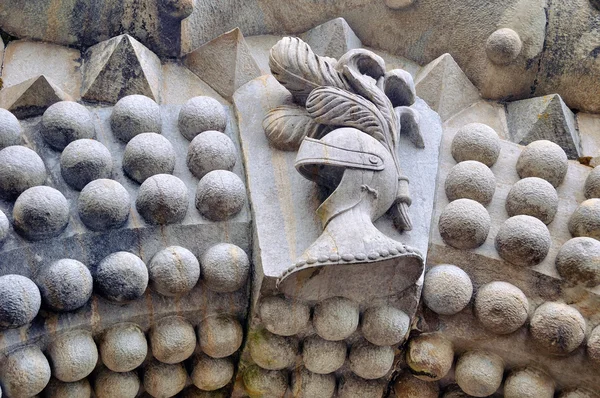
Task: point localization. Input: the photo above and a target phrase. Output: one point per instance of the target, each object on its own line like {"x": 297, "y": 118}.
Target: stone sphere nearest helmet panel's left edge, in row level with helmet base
{"x": 225, "y": 268}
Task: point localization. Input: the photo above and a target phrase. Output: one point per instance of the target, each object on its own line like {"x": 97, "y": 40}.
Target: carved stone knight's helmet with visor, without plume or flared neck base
{"x": 357, "y": 167}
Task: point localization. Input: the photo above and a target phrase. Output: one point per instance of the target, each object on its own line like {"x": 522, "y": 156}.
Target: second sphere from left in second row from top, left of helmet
{"x": 84, "y": 161}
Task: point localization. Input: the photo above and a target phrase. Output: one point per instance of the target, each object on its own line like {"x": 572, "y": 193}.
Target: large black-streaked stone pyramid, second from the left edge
{"x": 118, "y": 67}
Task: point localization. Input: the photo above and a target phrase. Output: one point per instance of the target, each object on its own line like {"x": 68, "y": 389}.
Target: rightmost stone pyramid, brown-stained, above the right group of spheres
{"x": 544, "y": 118}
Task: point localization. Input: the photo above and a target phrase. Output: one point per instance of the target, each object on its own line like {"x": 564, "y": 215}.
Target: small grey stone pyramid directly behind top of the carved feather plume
{"x": 332, "y": 39}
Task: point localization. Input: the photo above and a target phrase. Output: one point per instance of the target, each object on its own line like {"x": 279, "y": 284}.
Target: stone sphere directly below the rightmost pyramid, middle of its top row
{"x": 543, "y": 159}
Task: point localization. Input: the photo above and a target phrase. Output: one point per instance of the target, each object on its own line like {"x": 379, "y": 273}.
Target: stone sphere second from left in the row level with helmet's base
{"x": 66, "y": 285}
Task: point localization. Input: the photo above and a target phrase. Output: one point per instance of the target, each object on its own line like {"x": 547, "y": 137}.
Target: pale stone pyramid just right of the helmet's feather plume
{"x": 445, "y": 87}
